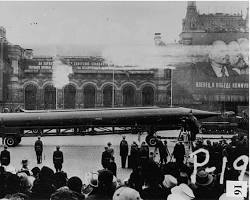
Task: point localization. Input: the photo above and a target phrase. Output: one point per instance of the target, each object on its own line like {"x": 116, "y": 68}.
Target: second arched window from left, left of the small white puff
{"x": 50, "y": 97}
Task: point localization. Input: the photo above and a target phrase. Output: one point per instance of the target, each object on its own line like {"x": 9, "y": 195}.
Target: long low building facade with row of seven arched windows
{"x": 29, "y": 83}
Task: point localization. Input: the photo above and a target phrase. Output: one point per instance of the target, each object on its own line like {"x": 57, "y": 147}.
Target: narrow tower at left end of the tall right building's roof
{"x": 191, "y": 20}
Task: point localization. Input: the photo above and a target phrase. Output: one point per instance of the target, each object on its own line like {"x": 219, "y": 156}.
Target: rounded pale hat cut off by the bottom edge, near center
{"x": 126, "y": 193}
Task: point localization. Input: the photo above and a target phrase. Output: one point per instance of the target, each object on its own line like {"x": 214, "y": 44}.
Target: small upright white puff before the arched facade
{"x": 60, "y": 73}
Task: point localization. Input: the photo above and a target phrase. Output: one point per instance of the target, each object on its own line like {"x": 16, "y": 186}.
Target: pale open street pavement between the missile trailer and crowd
{"x": 82, "y": 154}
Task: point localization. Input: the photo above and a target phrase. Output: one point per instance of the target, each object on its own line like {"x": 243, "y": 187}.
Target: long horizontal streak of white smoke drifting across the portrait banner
{"x": 150, "y": 56}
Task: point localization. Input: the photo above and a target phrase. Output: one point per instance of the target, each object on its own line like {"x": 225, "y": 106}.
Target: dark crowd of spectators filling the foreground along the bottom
{"x": 168, "y": 179}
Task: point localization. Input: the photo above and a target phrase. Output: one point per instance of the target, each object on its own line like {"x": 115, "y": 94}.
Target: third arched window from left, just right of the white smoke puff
{"x": 69, "y": 97}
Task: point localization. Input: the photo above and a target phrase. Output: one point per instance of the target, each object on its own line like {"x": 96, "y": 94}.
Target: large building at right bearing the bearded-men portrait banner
{"x": 200, "y": 84}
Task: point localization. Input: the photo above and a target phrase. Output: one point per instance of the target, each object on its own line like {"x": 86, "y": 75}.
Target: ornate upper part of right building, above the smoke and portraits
{"x": 204, "y": 29}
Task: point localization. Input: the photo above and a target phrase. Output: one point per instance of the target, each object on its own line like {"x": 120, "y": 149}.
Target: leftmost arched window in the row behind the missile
{"x": 30, "y": 93}
